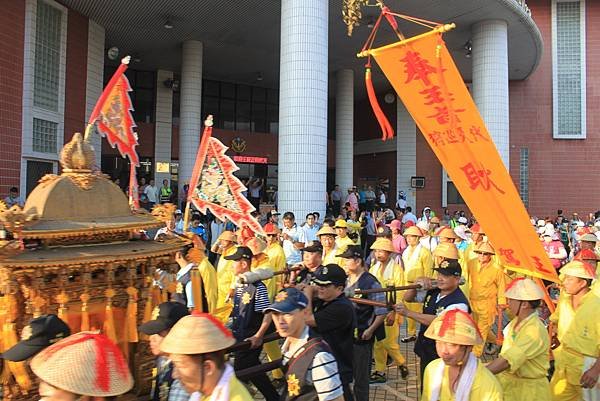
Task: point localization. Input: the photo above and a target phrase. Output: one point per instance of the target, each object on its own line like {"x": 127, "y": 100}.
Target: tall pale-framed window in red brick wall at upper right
{"x": 568, "y": 69}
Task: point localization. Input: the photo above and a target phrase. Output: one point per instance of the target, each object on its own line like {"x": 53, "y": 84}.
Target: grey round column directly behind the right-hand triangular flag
{"x": 190, "y": 124}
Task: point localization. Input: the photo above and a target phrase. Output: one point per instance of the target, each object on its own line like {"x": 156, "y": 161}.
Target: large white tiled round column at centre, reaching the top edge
{"x": 303, "y": 107}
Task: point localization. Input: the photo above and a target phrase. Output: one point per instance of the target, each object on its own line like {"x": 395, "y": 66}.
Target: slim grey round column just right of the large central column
{"x": 344, "y": 129}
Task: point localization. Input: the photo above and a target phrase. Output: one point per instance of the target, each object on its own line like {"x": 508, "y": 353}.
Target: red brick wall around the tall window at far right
{"x": 562, "y": 174}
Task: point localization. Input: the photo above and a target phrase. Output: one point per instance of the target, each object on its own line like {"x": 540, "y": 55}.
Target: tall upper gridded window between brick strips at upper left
{"x": 46, "y": 68}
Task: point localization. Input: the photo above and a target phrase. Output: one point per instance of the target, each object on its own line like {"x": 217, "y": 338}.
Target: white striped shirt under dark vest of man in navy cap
{"x": 322, "y": 372}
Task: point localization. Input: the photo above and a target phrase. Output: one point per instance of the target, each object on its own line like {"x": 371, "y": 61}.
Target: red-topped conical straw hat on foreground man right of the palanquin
{"x": 198, "y": 333}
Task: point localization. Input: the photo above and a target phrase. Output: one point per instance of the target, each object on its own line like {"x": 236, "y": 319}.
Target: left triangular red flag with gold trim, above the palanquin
{"x": 112, "y": 114}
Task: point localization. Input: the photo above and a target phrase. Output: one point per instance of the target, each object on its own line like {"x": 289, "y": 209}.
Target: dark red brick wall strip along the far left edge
{"x": 12, "y": 21}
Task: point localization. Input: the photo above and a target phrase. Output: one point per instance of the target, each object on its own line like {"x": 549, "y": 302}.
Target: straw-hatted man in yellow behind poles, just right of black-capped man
{"x": 389, "y": 272}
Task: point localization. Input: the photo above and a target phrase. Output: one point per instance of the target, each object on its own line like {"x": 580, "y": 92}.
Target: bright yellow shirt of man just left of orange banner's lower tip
{"x": 487, "y": 285}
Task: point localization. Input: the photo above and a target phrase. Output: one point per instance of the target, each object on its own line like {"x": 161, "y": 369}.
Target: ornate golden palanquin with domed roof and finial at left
{"x": 77, "y": 250}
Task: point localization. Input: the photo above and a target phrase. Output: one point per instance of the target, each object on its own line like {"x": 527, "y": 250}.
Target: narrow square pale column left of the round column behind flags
{"x": 164, "y": 124}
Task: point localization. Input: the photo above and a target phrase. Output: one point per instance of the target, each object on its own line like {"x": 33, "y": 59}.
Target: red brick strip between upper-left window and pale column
{"x": 76, "y": 74}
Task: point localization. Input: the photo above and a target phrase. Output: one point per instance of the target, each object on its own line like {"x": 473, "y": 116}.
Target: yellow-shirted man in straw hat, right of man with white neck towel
{"x": 522, "y": 366}
